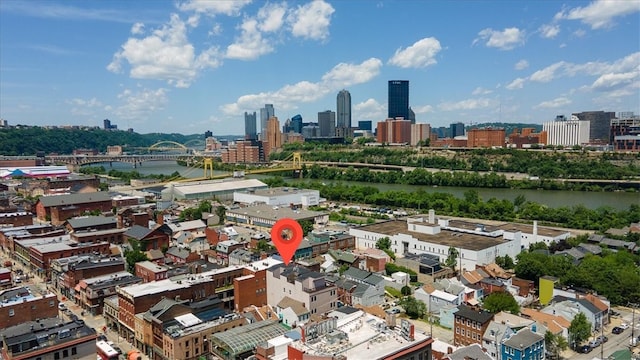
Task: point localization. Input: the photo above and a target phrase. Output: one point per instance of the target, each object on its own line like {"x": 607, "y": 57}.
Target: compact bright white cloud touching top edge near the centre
{"x": 311, "y": 21}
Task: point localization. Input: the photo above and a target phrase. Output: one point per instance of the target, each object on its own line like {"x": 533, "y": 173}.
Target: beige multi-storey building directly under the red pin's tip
{"x": 305, "y": 286}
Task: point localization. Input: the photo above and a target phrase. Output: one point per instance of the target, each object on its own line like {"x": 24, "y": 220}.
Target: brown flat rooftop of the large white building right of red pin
{"x": 445, "y": 237}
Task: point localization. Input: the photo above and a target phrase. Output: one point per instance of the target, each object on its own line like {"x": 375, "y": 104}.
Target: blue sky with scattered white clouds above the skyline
{"x": 191, "y": 66}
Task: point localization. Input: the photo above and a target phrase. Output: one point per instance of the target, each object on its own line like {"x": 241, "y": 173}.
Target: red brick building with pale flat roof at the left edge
{"x": 22, "y": 304}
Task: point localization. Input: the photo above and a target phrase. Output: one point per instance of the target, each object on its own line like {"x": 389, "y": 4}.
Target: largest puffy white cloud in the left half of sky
{"x": 166, "y": 54}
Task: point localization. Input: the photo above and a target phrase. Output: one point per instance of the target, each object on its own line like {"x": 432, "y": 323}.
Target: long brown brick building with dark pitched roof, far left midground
{"x": 59, "y": 208}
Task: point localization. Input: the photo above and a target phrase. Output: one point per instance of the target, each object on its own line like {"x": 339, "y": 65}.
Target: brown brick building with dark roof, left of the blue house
{"x": 470, "y": 324}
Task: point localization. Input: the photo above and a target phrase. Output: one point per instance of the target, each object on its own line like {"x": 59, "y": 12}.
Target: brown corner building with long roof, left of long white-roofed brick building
{"x": 90, "y": 293}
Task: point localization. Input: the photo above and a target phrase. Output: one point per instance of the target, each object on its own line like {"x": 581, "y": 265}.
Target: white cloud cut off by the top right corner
{"x": 600, "y": 13}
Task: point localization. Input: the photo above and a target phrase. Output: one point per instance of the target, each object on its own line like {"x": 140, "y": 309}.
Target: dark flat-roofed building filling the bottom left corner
{"x": 49, "y": 338}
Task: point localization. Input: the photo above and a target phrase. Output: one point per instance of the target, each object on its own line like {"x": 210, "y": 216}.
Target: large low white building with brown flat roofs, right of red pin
{"x": 477, "y": 244}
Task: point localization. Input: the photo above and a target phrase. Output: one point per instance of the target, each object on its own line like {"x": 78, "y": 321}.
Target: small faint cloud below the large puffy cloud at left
{"x": 141, "y": 104}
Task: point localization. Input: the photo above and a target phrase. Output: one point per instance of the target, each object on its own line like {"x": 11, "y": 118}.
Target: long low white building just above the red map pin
{"x": 278, "y": 196}
